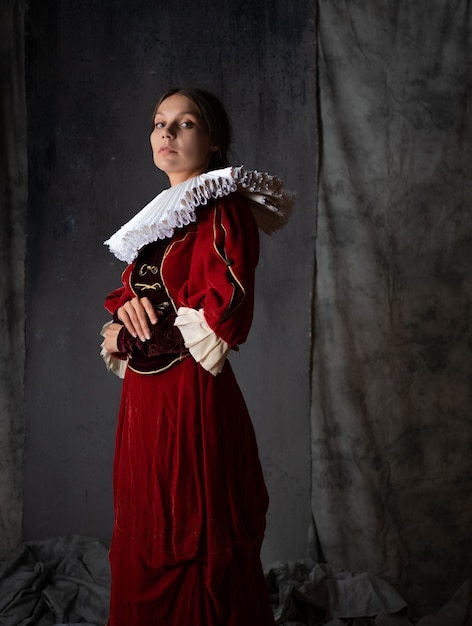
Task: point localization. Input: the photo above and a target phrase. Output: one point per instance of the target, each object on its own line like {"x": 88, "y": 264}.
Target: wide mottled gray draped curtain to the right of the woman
{"x": 392, "y": 358}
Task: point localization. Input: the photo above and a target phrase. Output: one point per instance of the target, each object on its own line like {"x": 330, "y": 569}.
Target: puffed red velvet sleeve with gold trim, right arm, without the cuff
{"x": 222, "y": 272}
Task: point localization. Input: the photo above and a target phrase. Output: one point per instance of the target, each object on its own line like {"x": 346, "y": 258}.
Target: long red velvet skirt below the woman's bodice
{"x": 190, "y": 504}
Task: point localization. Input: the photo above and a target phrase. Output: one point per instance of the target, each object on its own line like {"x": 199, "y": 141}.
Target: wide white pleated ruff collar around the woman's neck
{"x": 175, "y": 207}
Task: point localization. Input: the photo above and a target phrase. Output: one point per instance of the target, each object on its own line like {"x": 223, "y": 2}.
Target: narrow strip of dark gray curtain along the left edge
{"x": 13, "y": 209}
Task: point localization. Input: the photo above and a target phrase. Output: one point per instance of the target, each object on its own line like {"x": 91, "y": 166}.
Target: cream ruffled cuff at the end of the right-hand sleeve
{"x": 209, "y": 350}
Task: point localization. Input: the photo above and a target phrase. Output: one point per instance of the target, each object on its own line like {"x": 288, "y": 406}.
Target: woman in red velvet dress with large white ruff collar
{"x": 189, "y": 494}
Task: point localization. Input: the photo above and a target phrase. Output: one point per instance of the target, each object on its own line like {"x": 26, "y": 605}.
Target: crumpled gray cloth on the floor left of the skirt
{"x": 60, "y": 580}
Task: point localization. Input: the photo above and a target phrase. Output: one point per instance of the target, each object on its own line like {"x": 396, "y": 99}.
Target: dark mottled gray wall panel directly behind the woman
{"x": 94, "y": 71}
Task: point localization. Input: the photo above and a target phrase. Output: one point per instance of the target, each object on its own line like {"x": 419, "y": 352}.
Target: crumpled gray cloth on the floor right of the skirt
{"x": 311, "y": 594}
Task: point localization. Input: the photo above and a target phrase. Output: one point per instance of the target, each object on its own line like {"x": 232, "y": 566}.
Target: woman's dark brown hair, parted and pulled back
{"x": 214, "y": 117}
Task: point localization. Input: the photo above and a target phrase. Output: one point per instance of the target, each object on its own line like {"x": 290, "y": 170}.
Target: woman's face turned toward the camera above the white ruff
{"x": 181, "y": 146}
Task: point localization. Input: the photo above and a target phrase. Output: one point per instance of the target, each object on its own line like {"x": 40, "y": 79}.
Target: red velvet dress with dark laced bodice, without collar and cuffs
{"x": 189, "y": 494}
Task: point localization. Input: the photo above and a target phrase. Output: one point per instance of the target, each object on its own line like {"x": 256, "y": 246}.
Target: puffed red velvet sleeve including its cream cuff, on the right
{"x": 217, "y": 302}
